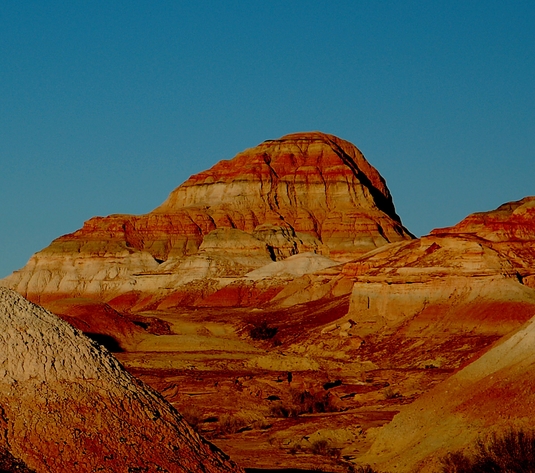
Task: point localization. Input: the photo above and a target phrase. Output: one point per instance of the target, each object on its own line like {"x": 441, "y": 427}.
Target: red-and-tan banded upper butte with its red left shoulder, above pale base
{"x": 311, "y": 183}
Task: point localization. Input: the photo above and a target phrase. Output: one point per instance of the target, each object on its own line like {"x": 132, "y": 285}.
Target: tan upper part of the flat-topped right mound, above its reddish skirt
{"x": 431, "y": 277}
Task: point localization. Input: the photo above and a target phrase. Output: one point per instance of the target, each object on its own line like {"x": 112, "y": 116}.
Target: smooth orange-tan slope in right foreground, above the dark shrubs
{"x": 495, "y": 393}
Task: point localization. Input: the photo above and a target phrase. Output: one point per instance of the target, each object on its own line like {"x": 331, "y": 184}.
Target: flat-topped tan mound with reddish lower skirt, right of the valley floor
{"x": 432, "y": 303}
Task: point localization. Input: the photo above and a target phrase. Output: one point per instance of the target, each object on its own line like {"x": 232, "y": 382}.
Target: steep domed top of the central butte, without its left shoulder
{"x": 315, "y": 187}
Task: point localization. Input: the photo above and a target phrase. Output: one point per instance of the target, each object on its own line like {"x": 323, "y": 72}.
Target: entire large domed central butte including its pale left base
{"x": 306, "y": 192}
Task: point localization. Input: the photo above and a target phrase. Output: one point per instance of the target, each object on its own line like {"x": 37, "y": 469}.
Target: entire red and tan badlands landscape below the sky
{"x": 277, "y": 304}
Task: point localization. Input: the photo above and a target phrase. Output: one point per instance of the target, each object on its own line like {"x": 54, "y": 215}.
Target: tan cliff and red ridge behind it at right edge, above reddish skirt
{"x": 484, "y": 264}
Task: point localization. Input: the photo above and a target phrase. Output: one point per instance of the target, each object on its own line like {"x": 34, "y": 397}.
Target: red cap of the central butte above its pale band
{"x": 295, "y": 159}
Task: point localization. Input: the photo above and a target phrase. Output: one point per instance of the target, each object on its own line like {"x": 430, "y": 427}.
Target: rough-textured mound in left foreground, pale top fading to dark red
{"x": 67, "y": 405}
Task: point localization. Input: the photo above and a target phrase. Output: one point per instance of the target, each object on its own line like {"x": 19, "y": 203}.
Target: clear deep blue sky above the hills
{"x": 106, "y": 106}
